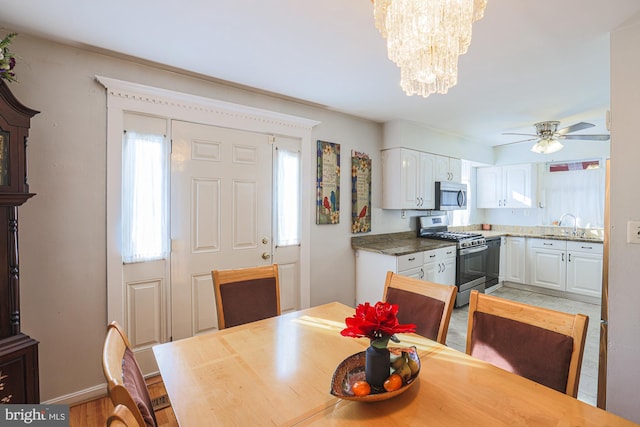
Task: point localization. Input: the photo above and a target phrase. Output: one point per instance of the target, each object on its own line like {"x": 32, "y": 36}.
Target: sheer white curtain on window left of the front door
{"x": 144, "y": 197}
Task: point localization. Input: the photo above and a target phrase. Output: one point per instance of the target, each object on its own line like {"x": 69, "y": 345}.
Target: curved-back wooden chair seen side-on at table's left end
{"x": 125, "y": 381}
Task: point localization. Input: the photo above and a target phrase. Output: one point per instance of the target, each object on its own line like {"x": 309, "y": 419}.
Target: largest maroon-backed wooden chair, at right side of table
{"x": 540, "y": 344}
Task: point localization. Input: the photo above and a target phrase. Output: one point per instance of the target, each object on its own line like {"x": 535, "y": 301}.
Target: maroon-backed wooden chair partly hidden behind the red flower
{"x": 426, "y": 304}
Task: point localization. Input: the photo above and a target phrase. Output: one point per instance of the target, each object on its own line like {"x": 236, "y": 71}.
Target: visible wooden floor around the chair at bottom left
{"x": 96, "y": 412}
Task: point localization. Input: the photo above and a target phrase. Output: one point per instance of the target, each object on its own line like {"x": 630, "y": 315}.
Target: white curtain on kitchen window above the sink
{"x": 577, "y": 192}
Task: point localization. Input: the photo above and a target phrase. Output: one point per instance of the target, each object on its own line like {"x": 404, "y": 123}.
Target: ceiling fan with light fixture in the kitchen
{"x": 548, "y": 136}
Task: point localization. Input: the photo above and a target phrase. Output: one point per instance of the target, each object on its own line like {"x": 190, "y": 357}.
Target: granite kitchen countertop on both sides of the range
{"x": 404, "y": 243}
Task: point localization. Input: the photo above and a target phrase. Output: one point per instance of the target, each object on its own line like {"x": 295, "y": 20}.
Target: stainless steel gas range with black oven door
{"x": 471, "y": 254}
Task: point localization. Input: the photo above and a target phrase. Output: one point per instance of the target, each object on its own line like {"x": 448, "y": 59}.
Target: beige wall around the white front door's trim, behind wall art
{"x": 62, "y": 229}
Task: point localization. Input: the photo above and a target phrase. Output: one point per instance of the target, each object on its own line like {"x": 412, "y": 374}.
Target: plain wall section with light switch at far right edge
{"x": 624, "y": 278}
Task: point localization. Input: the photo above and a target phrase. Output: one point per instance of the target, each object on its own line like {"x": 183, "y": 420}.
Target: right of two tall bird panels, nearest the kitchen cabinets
{"x": 360, "y": 192}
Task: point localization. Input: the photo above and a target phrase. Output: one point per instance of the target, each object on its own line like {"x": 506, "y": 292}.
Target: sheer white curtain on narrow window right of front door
{"x": 287, "y": 188}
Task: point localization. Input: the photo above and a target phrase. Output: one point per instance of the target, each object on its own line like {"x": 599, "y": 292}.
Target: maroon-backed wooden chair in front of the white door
{"x": 246, "y": 295}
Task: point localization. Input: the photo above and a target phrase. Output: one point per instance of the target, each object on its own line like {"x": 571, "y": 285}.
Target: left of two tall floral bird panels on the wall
{"x": 328, "y": 183}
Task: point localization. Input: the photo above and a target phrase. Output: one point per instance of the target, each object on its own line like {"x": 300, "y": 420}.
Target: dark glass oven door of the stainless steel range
{"x": 471, "y": 272}
